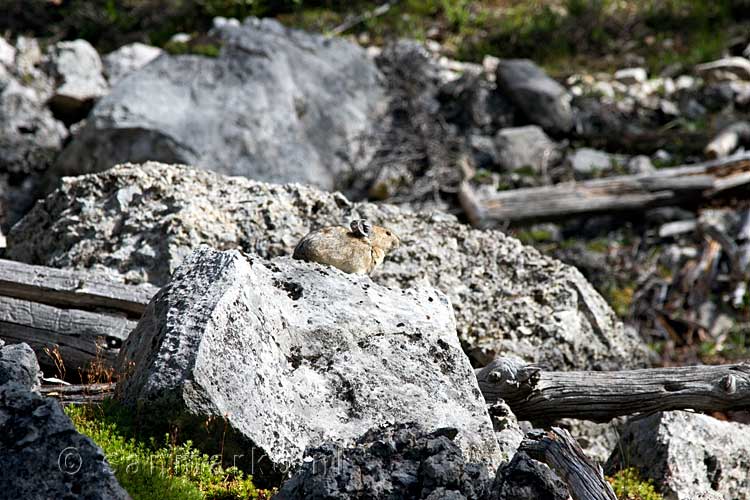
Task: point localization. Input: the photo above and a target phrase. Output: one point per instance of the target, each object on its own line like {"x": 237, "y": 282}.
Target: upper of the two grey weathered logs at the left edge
{"x": 69, "y": 288}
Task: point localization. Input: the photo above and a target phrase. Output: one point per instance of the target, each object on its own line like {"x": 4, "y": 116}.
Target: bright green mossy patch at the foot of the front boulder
{"x": 158, "y": 470}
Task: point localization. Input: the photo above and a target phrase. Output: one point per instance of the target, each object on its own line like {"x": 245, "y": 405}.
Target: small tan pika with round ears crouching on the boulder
{"x": 357, "y": 250}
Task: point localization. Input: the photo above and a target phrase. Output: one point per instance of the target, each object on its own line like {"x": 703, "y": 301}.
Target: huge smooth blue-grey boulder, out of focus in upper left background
{"x": 276, "y": 105}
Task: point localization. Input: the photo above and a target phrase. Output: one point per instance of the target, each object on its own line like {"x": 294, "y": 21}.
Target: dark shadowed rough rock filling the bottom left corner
{"x": 42, "y": 455}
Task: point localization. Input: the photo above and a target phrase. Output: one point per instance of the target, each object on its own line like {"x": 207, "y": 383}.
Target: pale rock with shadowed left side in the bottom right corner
{"x": 688, "y": 455}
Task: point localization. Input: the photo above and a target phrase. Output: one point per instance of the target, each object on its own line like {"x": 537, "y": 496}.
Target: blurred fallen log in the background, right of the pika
{"x": 667, "y": 186}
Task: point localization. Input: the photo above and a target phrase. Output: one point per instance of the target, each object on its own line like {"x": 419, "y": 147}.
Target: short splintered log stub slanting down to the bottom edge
{"x": 562, "y": 454}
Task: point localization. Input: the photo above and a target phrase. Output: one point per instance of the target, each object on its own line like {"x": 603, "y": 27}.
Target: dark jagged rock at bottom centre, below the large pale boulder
{"x": 391, "y": 463}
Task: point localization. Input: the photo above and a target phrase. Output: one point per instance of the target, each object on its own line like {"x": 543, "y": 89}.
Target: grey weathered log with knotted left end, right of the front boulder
{"x": 543, "y": 396}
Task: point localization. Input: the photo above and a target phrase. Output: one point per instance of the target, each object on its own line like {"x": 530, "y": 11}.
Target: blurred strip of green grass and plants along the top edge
{"x": 562, "y": 34}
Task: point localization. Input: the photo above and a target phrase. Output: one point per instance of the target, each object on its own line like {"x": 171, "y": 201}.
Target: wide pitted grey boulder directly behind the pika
{"x": 141, "y": 221}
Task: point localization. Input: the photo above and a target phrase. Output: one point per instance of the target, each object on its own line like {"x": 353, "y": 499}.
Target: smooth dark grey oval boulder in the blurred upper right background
{"x": 544, "y": 101}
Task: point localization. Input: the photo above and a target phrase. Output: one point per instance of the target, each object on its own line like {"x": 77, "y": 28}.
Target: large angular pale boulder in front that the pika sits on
{"x": 288, "y": 355}
